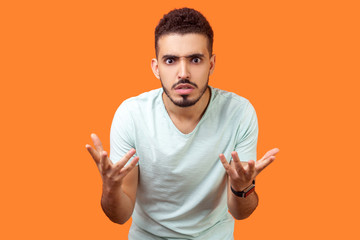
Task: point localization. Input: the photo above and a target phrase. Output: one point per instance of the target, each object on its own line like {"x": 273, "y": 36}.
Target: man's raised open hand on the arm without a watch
{"x": 111, "y": 174}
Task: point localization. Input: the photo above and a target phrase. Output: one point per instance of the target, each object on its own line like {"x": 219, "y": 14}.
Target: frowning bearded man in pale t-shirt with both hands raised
{"x": 180, "y": 183}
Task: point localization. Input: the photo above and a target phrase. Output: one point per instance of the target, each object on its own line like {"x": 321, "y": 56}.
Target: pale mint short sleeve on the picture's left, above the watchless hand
{"x": 121, "y": 133}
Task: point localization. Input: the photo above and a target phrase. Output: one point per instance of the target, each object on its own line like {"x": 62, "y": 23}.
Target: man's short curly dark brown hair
{"x": 182, "y": 21}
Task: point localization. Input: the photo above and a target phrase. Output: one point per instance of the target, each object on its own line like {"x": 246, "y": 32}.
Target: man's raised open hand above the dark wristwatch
{"x": 240, "y": 174}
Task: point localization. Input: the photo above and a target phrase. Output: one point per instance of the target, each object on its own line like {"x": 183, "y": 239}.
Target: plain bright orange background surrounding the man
{"x": 67, "y": 65}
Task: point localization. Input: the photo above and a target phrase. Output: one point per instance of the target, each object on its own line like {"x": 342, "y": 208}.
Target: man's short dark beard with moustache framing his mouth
{"x": 185, "y": 101}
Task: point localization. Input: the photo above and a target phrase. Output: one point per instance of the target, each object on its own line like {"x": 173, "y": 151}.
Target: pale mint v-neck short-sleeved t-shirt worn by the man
{"x": 182, "y": 185}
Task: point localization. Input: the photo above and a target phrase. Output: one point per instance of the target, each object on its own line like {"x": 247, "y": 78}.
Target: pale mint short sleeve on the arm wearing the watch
{"x": 247, "y": 134}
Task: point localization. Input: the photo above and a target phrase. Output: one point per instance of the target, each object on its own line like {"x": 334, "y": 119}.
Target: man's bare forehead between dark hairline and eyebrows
{"x": 183, "y": 44}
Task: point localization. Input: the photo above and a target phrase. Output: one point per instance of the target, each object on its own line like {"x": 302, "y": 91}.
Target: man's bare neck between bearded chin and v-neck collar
{"x": 192, "y": 113}
